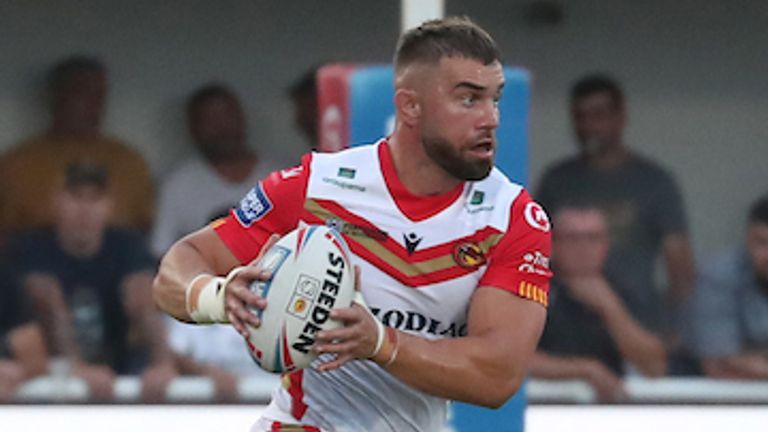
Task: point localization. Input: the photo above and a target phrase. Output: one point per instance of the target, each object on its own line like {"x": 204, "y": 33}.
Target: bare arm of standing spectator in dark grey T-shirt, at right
{"x": 680, "y": 266}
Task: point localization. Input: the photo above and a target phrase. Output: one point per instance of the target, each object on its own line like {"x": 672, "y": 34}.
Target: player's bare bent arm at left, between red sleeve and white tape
{"x": 200, "y": 252}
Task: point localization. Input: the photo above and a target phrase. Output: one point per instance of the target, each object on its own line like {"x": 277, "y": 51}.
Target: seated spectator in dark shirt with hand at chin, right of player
{"x": 590, "y": 334}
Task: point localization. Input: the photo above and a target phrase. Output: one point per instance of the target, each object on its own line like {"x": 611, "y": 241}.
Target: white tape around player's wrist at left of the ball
{"x": 206, "y": 305}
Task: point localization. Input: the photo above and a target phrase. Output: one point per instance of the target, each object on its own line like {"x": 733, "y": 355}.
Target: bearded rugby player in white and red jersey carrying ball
{"x": 452, "y": 256}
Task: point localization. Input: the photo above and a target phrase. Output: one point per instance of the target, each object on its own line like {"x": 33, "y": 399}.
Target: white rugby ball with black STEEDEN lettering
{"x": 311, "y": 274}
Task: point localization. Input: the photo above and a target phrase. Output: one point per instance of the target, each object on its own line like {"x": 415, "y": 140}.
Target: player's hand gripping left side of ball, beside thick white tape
{"x": 238, "y": 295}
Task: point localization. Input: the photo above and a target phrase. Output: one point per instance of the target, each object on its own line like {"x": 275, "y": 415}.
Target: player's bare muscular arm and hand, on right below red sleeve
{"x": 485, "y": 368}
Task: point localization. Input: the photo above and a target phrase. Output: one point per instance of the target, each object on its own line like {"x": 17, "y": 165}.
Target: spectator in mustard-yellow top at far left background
{"x": 77, "y": 88}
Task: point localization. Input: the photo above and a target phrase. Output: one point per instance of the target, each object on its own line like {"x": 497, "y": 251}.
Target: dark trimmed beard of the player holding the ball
{"x": 450, "y": 159}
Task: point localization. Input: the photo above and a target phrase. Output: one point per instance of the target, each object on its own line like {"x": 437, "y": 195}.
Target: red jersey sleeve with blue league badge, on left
{"x": 273, "y": 206}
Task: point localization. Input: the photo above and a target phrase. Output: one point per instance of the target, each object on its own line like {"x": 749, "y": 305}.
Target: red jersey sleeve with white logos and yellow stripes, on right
{"x": 520, "y": 262}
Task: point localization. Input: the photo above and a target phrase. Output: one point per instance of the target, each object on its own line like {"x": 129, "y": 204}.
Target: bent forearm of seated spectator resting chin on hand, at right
{"x": 636, "y": 345}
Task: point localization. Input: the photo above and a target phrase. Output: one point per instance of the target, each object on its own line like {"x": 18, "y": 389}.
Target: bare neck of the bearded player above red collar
{"x": 415, "y": 170}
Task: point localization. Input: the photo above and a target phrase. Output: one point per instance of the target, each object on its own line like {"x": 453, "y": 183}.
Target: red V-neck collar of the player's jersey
{"x": 414, "y": 207}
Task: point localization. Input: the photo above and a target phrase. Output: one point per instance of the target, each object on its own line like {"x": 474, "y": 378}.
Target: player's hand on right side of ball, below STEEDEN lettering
{"x": 355, "y": 340}
